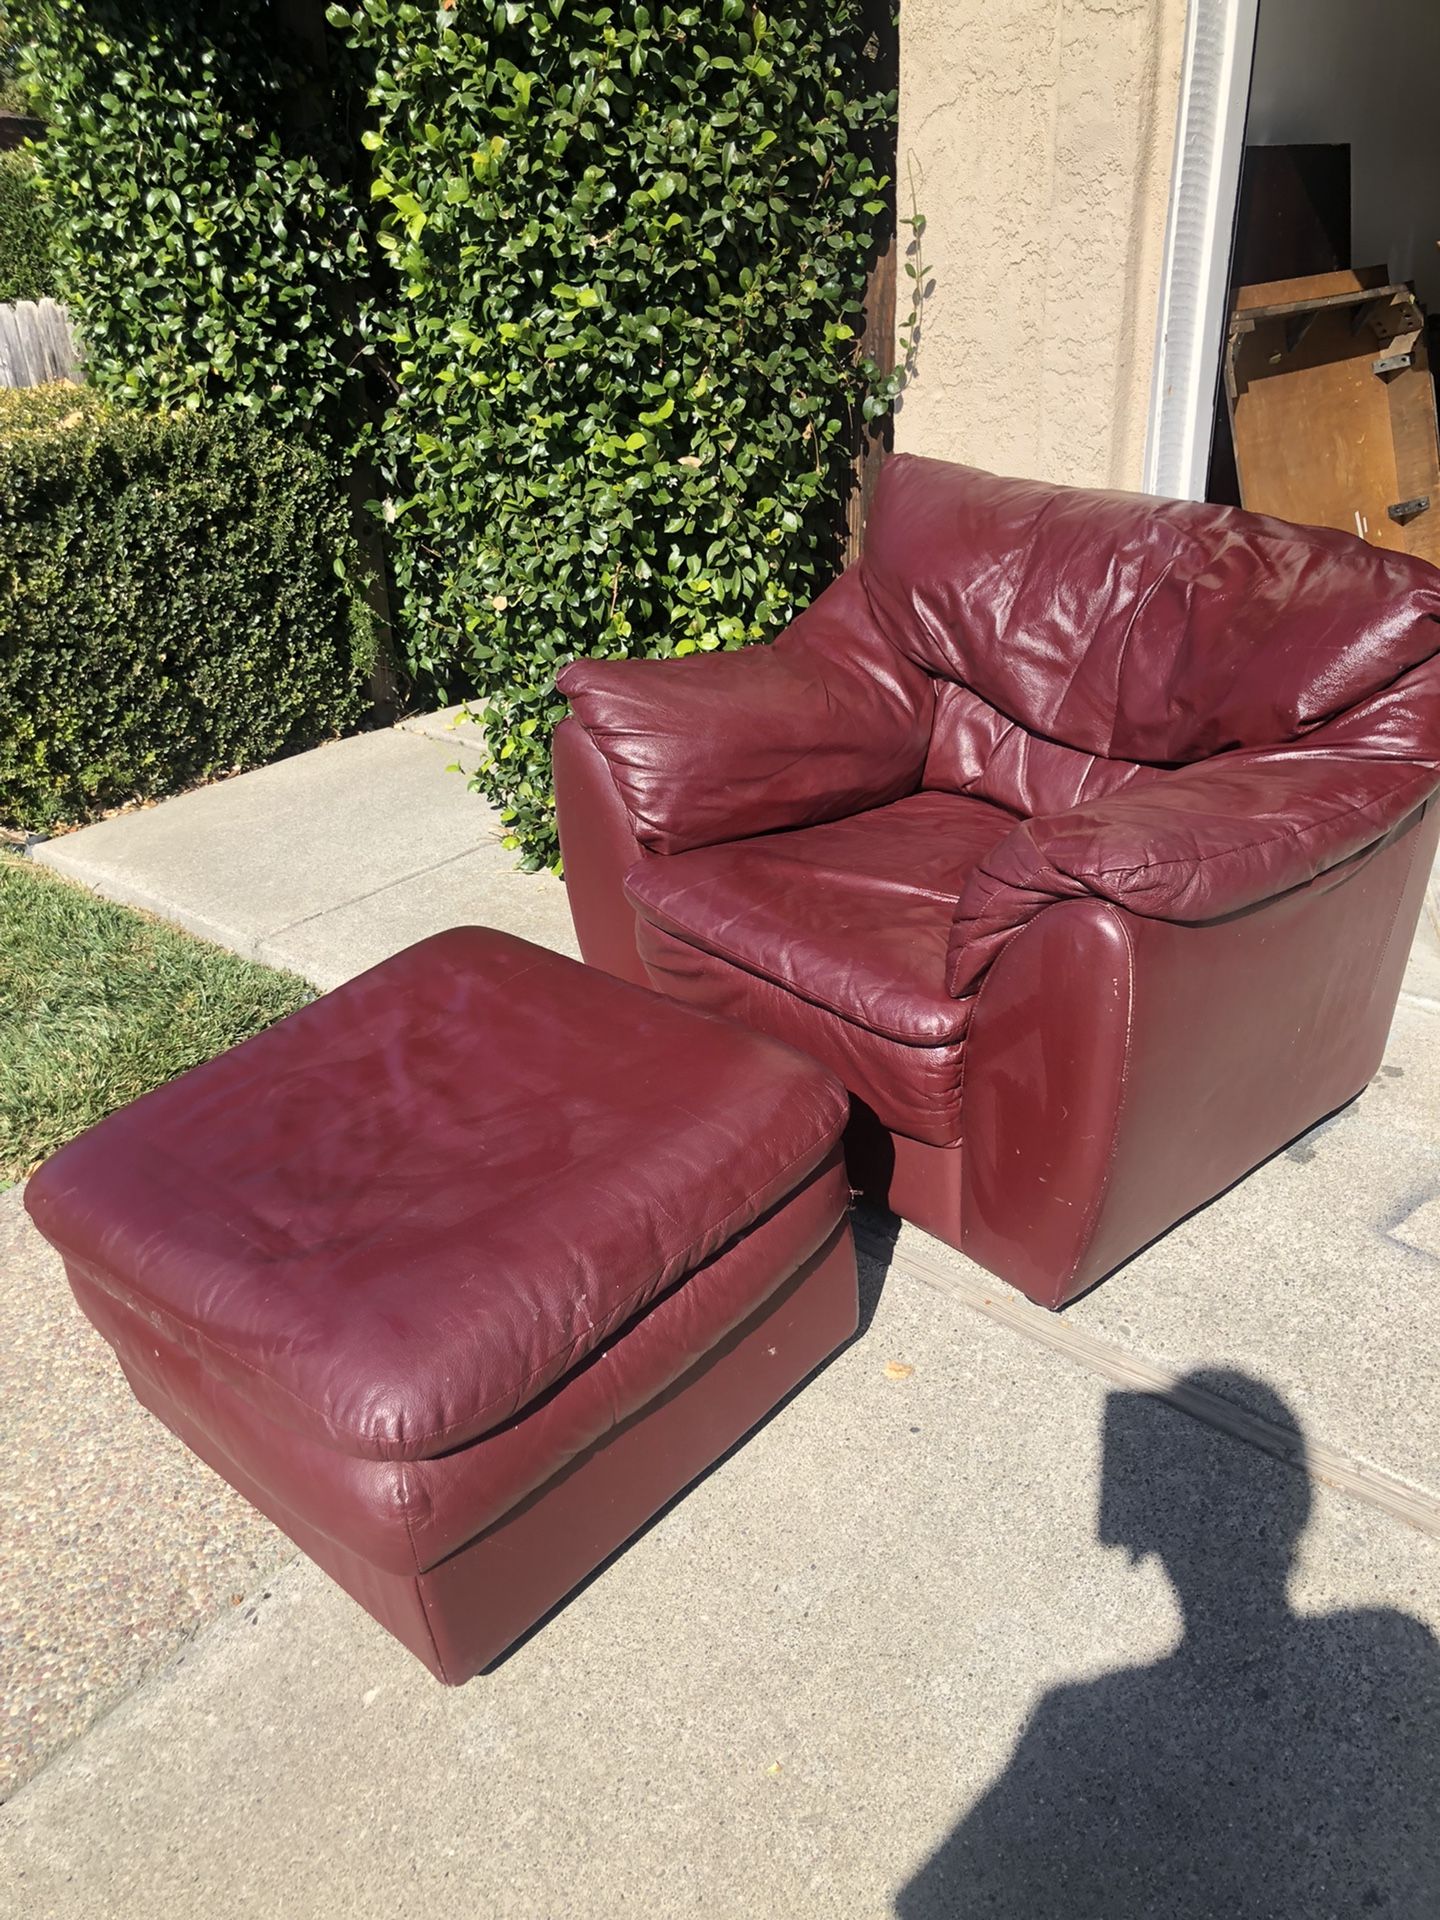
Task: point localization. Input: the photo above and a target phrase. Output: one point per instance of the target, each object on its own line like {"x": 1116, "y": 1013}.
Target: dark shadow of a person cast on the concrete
{"x": 1276, "y": 1765}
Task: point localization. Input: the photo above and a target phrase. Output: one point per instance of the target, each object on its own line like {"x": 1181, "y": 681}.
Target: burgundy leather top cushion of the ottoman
{"x": 404, "y": 1212}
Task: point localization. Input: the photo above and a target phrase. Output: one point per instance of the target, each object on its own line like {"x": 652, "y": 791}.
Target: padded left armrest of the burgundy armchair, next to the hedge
{"x": 827, "y": 721}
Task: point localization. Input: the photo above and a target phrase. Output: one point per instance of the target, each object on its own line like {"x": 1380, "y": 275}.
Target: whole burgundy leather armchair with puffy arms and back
{"x": 1082, "y": 834}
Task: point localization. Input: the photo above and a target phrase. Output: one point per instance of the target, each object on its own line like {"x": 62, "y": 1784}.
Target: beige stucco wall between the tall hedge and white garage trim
{"x": 1040, "y": 137}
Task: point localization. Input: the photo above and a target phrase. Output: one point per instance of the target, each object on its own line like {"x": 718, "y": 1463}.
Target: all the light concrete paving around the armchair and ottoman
{"x": 802, "y": 1691}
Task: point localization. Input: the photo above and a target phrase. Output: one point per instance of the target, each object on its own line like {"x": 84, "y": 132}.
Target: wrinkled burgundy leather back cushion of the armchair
{"x": 1128, "y": 629}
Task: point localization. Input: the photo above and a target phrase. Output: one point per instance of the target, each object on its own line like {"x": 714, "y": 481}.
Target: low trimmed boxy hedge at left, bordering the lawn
{"x": 172, "y": 604}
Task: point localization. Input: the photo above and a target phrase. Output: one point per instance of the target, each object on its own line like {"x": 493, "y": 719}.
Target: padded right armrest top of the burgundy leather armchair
{"x": 1189, "y": 846}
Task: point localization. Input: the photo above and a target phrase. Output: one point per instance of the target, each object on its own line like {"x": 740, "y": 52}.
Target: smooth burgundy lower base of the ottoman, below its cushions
{"x": 471, "y": 1608}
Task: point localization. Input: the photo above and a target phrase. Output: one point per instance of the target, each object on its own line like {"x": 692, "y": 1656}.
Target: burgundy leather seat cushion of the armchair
{"x": 853, "y": 917}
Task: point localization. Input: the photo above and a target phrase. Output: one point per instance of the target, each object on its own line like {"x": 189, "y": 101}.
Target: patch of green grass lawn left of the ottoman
{"x": 101, "y": 1003}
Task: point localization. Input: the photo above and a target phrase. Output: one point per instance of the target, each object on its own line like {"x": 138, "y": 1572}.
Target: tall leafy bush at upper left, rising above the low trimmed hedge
{"x": 210, "y": 243}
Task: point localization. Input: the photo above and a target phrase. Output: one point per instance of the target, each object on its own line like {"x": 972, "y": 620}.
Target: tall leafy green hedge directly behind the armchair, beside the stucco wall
{"x": 629, "y": 256}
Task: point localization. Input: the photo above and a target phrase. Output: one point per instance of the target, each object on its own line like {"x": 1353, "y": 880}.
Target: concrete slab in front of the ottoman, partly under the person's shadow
{"x": 796, "y": 1689}
